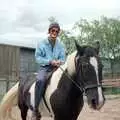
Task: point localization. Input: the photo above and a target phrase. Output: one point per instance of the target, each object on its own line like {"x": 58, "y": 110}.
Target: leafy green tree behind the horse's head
{"x": 106, "y": 30}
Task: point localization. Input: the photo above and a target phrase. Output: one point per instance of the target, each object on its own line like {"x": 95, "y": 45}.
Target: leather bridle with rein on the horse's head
{"x": 81, "y": 86}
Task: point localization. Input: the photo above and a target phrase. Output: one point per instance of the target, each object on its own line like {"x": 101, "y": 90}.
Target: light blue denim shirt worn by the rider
{"x": 45, "y": 53}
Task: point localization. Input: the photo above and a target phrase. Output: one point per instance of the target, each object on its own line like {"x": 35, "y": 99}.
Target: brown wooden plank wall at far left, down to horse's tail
{"x": 9, "y": 67}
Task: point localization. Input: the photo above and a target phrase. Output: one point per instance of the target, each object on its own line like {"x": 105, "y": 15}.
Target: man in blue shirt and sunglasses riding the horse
{"x": 50, "y": 54}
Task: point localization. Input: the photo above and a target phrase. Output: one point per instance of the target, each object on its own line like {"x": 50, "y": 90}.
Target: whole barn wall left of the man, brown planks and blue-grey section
{"x": 14, "y": 62}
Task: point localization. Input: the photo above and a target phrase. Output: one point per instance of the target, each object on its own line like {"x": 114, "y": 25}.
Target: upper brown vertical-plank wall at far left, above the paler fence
{"x": 9, "y": 60}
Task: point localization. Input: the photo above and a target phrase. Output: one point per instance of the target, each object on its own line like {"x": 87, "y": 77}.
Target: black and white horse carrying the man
{"x": 64, "y": 96}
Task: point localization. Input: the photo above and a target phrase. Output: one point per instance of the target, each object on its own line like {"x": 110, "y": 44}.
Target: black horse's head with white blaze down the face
{"x": 89, "y": 74}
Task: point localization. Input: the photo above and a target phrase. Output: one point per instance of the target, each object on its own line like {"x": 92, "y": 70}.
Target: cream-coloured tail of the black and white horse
{"x": 8, "y": 101}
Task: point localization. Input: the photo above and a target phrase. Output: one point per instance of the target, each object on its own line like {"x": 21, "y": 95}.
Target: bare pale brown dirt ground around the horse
{"x": 110, "y": 111}
